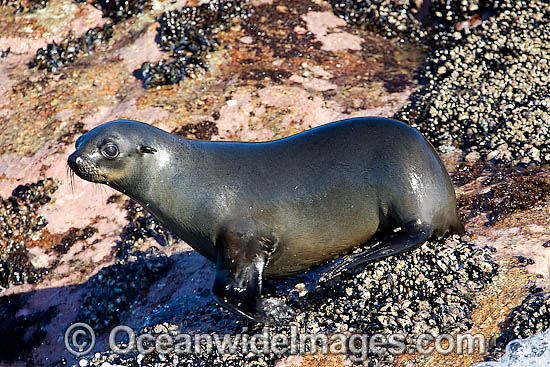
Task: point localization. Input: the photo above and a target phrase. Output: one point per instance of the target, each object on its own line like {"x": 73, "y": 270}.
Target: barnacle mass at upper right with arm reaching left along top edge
{"x": 485, "y": 84}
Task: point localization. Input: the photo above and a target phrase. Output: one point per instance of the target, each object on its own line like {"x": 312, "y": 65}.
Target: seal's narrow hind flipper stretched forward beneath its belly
{"x": 412, "y": 235}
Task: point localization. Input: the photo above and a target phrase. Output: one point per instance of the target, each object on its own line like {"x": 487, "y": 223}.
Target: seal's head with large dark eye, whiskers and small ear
{"x": 114, "y": 153}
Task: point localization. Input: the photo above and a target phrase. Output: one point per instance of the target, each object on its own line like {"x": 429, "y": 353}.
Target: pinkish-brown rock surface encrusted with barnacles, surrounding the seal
{"x": 471, "y": 75}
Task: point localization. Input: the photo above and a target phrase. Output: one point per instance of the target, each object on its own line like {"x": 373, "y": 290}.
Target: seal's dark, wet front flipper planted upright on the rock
{"x": 240, "y": 265}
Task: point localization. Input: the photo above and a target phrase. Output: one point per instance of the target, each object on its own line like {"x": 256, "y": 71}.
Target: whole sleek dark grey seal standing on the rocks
{"x": 280, "y": 207}
